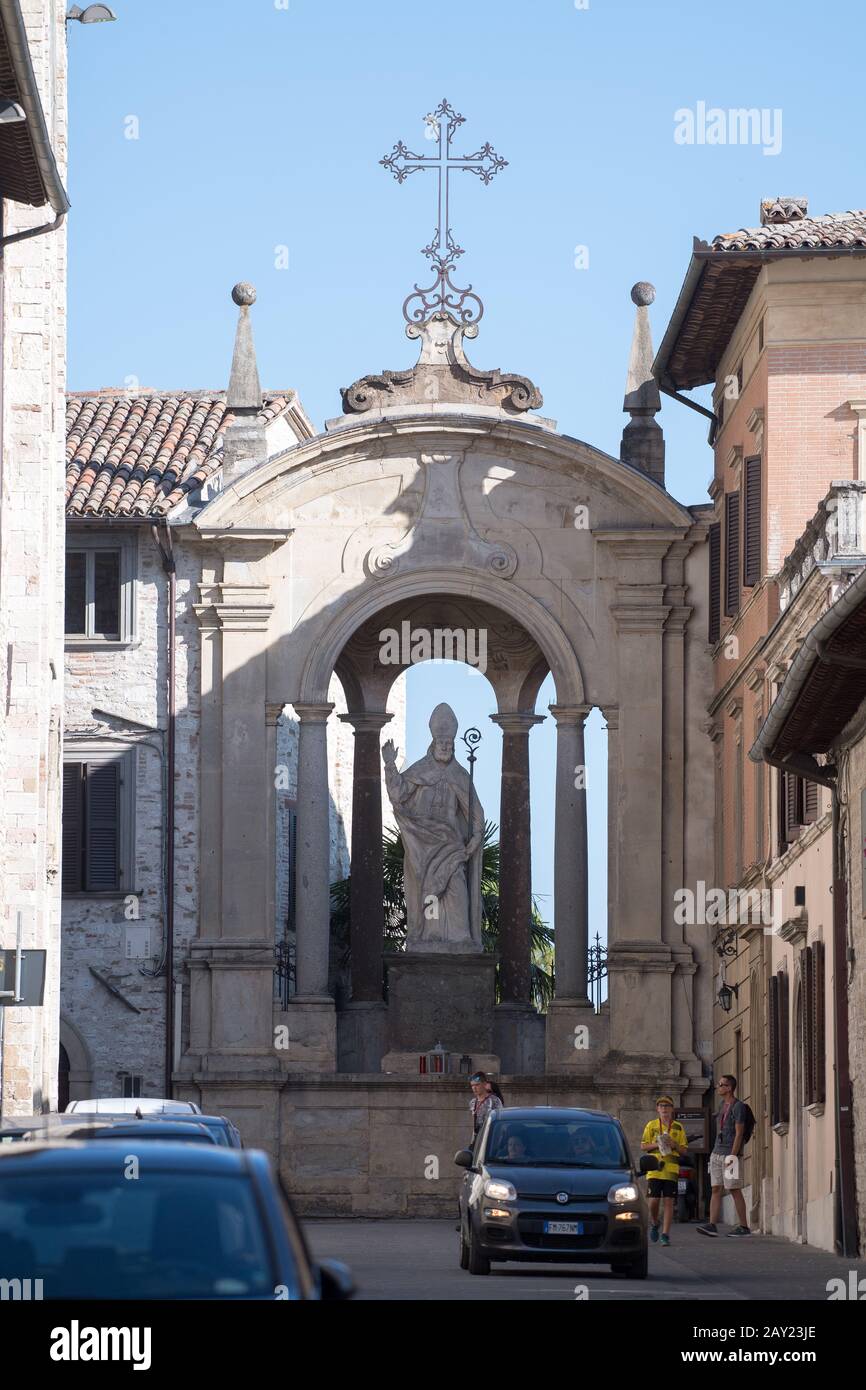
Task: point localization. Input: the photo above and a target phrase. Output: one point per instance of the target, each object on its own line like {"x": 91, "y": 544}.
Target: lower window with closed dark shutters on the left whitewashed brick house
{"x": 98, "y": 807}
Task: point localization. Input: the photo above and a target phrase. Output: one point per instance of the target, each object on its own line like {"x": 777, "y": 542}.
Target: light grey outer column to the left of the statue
{"x": 313, "y": 861}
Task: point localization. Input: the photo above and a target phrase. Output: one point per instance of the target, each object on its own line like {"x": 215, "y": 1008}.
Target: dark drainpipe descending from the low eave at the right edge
{"x": 846, "y": 1223}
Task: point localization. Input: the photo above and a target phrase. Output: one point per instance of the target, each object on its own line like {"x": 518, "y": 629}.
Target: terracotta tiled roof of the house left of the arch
{"x": 137, "y": 455}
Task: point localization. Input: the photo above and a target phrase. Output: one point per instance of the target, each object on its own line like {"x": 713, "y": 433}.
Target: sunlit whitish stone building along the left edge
{"x": 33, "y": 372}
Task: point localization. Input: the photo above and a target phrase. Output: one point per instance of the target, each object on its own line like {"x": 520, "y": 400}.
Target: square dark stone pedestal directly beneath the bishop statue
{"x": 441, "y": 999}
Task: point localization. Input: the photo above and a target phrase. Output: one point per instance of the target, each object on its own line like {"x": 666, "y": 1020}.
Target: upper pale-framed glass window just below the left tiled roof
{"x": 99, "y": 590}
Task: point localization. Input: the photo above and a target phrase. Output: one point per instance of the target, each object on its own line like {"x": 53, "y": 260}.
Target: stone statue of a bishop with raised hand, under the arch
{"x": 441, "y": 824}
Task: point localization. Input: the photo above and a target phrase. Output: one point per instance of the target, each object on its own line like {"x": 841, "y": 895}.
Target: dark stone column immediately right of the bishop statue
{"x": 516, "y": 860}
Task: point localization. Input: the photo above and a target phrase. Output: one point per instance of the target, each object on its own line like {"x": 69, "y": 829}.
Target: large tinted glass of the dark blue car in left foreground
{"x": 106, "y": 1235}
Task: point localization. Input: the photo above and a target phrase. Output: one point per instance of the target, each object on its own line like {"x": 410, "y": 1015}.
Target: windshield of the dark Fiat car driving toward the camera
{"x": 547, "y": 1143}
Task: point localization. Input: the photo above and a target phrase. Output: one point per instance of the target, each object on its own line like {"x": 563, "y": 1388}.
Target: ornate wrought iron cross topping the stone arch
{"x": 444, "y": 250}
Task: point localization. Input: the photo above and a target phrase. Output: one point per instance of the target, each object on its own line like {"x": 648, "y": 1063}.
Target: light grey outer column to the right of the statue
{"x": 571, "y": 879}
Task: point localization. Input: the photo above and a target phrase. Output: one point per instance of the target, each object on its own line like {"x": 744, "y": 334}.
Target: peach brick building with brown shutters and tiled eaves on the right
{"x": 774, "y": 319}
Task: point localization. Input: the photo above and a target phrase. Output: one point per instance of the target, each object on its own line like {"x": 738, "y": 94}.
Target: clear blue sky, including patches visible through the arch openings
{"x": 262, "y": 126}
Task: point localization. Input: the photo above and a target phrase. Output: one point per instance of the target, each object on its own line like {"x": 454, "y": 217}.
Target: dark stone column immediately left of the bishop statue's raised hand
{"x": 368, "y": 886}
